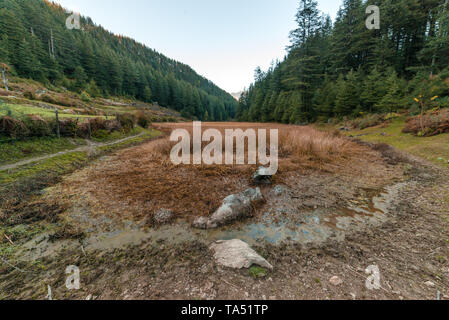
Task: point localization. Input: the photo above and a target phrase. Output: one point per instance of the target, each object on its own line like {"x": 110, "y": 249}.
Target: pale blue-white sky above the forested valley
{"x": 222, "y": 40}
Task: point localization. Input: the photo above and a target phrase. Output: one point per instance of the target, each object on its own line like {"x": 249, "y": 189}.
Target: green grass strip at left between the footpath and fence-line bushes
{"x": 11, "y": 152}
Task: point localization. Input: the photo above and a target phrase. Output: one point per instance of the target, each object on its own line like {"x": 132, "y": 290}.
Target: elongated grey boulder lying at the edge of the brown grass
{"x": 233, "y": 207}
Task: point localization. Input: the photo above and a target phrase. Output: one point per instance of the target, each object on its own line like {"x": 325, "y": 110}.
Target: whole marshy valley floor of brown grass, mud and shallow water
{"x": 336, "y": 206}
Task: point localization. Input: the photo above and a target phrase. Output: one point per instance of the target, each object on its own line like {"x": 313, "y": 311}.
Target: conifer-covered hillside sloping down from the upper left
{"x": 35, "y": 44}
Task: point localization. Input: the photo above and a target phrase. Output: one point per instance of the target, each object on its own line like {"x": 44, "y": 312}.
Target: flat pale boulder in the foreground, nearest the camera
{"x": 237, "y": 254}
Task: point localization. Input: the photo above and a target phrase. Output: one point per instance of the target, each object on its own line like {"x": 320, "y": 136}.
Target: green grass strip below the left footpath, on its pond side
{"x": 56, "y": 165}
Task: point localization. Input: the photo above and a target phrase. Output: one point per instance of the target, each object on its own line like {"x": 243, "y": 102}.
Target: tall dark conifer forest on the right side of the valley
{"x": 344, "y": 69}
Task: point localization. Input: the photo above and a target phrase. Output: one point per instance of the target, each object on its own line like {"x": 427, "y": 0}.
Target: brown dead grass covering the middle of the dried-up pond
{"x": 139, "y": 181}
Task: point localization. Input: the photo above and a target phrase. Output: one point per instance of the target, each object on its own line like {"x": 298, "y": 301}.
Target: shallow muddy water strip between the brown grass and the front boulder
{"x": 315, "y": 227}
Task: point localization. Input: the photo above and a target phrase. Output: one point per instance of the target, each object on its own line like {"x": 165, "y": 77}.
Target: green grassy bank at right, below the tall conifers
{"x": 435, "y": 149}
